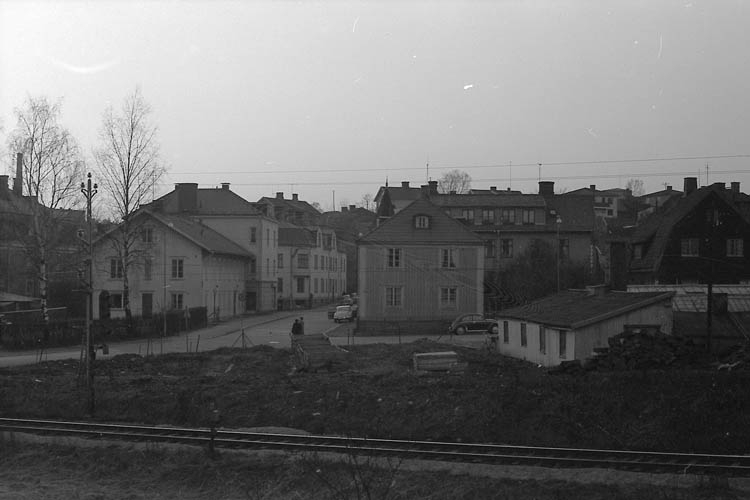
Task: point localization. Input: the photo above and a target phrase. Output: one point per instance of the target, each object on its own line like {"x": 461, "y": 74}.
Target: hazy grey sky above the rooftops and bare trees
{"x": 330, "y": 99}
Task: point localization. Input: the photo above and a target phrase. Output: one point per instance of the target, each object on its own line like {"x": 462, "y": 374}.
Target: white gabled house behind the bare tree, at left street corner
{"x": 177, "y": 263}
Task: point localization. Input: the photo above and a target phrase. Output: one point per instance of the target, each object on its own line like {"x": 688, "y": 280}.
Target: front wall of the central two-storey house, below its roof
{"x": 420, "y": 277}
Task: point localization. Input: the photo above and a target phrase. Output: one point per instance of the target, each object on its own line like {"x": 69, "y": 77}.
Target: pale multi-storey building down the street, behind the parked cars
{"x": 311, "y": 268}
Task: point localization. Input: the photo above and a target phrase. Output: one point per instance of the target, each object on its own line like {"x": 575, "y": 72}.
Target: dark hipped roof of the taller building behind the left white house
{"x": 210, "y": 201}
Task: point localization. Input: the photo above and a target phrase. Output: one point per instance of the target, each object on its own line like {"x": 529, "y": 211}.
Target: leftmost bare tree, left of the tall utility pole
{"x": 51, "y": 166}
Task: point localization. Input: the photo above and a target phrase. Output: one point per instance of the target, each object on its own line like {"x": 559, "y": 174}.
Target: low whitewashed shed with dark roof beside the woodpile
{"x": 571, "y": 324}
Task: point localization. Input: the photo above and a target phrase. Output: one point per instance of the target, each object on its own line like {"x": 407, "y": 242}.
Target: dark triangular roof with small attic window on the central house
{"x": 400, "y": 229}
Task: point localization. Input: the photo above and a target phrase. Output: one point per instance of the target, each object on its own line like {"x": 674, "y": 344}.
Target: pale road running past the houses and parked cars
{"x": 270, "y": 329}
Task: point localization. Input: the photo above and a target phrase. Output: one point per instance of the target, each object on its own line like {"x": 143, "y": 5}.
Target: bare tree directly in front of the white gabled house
{"x": 128, "y": 167}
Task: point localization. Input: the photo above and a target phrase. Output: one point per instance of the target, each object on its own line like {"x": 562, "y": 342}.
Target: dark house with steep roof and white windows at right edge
{"x": 699, "y": 237}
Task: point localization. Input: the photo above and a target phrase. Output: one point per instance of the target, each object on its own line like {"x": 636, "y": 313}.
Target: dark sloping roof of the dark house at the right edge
{"x": 658, "y": 226}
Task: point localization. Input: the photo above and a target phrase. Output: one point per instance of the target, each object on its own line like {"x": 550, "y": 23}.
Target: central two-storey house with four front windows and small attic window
{"x": 419, "y": 269}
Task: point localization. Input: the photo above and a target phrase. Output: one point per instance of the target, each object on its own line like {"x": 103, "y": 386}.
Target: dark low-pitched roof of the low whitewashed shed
{"x": 573, "y": 309}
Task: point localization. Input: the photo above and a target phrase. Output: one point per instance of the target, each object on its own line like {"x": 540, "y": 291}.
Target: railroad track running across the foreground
{"x": 652, "y": 462}
